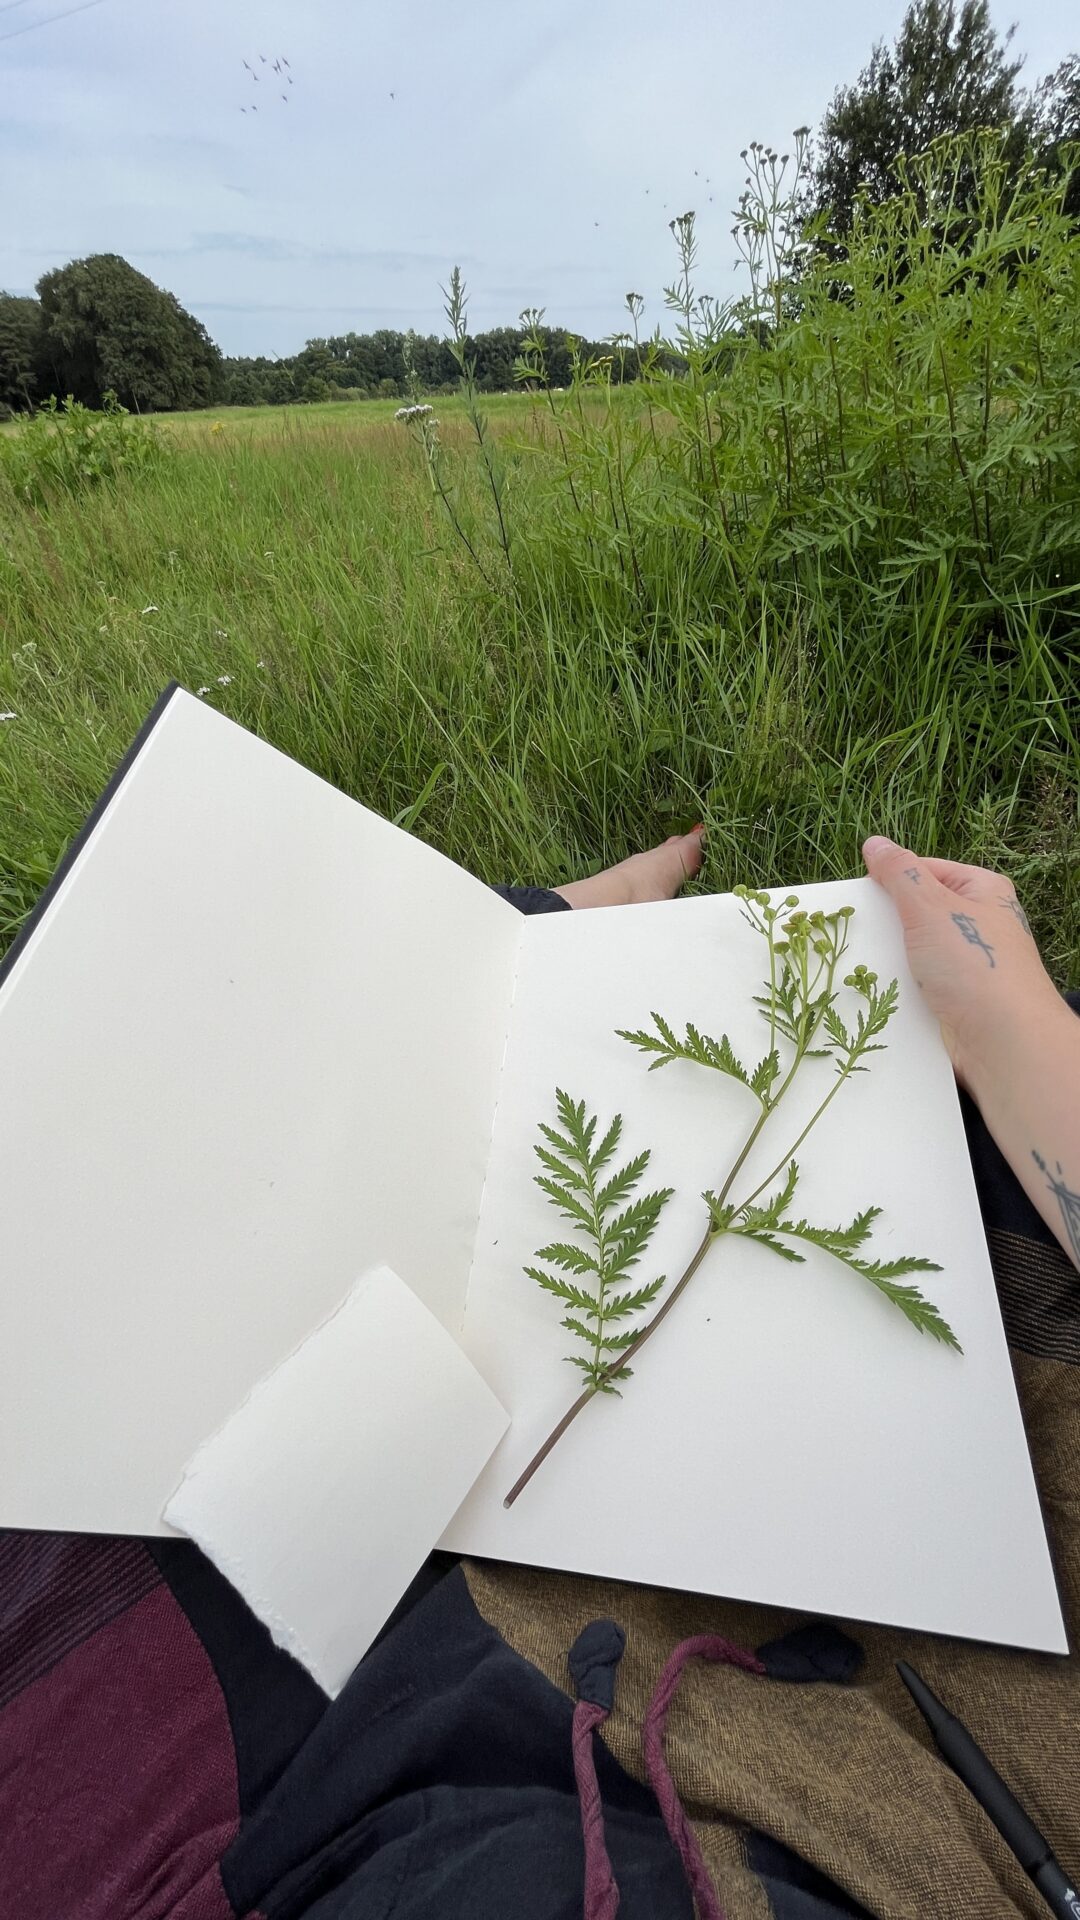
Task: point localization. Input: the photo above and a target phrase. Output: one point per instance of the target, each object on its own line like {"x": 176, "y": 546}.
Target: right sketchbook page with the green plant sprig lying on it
{"x": 787, "y": 1437}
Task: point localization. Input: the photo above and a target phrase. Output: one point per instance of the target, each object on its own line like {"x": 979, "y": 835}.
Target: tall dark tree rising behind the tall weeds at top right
{"x": 950, "y": 72}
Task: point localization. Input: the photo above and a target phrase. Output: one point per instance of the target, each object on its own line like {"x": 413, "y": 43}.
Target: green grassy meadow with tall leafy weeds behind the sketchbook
{"x": 818, "y": 585}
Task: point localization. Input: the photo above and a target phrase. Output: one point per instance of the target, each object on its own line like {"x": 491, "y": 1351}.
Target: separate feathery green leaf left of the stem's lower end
{"x": 593, "y": 1274}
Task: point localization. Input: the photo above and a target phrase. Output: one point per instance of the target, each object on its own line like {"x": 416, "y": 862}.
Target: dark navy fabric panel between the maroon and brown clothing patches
{"x": 441, "y": 1787}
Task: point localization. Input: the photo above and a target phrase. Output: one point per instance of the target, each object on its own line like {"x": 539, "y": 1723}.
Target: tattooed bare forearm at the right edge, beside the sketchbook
{"x": 1027, "y": 1090}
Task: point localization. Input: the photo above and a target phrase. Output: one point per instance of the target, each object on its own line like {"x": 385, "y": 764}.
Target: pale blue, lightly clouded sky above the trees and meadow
{"x": 541, "y": 151}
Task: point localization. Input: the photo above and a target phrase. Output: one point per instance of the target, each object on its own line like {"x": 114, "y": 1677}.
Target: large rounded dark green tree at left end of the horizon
{"x": 107, "y": 327}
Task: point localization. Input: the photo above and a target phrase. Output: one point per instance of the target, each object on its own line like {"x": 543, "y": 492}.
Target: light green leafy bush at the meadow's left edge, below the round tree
{"x": 68, "y": 450}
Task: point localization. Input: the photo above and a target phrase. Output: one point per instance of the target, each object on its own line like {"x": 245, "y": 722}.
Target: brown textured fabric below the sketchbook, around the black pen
{"x": 847, "y": 1775}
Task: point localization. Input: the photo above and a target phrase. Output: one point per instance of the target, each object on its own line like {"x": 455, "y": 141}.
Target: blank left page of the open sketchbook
{"x": 251, "y": 1049}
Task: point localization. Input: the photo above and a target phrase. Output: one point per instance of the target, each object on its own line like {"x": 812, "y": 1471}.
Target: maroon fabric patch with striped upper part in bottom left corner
{"x": 118, "y": 1779}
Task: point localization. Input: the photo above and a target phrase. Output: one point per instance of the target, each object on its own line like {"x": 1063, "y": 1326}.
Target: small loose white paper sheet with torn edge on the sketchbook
{"x": 320, "y": 1499}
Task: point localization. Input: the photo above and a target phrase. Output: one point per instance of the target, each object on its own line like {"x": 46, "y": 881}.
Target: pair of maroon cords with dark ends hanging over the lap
{"x": 595, "y": 1658}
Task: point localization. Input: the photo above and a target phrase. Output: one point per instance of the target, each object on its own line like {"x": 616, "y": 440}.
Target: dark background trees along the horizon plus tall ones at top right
{"x": 99, "y": 327}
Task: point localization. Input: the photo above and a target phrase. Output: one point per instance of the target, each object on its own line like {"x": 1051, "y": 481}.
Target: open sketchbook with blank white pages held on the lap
{"x": 258, "y": 1042}
